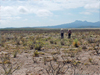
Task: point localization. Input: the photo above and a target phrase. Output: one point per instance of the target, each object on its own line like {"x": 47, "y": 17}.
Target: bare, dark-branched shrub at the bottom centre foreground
{"x": 55, "y": 68}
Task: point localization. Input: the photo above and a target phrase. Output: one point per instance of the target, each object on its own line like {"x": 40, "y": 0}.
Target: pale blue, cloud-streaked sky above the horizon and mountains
{"x": 35, "y": 13}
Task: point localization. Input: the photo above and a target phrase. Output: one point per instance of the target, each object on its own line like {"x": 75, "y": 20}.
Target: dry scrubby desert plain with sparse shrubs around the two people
{"x": 45, "y": 53}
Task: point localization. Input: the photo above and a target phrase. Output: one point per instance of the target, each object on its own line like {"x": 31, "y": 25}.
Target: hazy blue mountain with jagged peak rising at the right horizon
{"x": 77, "y": 24}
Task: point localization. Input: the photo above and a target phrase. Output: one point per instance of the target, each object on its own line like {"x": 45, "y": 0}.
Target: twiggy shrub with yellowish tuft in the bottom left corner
{"x": 7, "y": 65}
